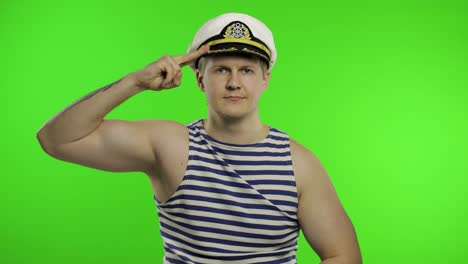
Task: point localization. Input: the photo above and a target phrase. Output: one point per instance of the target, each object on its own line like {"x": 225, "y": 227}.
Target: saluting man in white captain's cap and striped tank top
{"x": 229, "y": 188}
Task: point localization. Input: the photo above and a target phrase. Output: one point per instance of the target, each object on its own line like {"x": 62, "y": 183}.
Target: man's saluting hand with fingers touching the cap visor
{"x": 165, "y": 73}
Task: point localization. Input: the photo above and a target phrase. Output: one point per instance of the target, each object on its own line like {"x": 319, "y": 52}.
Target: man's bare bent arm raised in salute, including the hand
{"x": 79, "y": 133}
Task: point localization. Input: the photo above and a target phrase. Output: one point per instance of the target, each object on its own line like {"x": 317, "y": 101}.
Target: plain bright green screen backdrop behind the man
{"x": 378, "y": 91}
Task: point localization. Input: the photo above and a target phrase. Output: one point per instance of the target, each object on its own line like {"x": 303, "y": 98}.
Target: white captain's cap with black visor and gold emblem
{"x": 238, "y": 34}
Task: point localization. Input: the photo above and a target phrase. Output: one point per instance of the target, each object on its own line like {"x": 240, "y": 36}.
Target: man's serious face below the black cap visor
{"x": 232, "y": 85}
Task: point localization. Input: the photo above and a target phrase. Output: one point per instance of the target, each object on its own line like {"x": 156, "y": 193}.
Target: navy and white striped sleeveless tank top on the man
{"x": 235, "y": 204}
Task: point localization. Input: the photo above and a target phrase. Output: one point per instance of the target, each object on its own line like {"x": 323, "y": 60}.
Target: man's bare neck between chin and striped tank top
{"x": 236, "y": 131}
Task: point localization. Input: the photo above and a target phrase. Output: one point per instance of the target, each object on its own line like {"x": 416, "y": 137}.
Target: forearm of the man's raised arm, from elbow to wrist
{"x": 85, "y": 115}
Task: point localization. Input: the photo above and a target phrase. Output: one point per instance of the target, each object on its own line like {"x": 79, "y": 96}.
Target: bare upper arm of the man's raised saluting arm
{"x": 114, "y": 146}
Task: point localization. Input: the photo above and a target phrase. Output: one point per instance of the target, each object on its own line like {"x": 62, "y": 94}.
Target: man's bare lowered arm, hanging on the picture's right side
{"x": 323, "y": 220}
